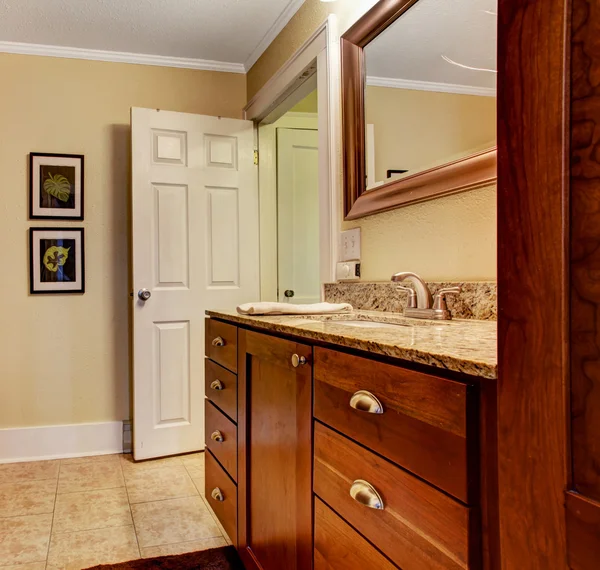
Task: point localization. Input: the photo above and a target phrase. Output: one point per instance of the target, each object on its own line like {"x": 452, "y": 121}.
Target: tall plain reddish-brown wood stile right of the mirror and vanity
{"x": 532, "y": 281}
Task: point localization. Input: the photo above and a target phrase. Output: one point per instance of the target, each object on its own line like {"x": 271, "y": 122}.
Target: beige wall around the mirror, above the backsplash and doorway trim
{"x": 449, "y": 238}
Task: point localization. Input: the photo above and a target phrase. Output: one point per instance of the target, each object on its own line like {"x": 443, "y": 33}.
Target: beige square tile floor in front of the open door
{"x": 71, "y": 514}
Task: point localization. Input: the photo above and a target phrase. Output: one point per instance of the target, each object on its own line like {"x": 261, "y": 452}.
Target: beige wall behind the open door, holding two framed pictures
{"x": 65, "y": 359}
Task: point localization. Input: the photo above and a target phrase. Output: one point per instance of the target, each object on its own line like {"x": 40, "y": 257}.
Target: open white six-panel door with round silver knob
{"x": 195, "y": 246}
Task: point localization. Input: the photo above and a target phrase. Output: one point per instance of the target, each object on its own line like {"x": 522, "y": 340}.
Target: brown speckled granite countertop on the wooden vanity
{"x": 466, "y": 346}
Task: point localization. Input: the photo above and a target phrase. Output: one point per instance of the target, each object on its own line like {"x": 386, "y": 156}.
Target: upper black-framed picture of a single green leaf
{"x": 55, "y": 186}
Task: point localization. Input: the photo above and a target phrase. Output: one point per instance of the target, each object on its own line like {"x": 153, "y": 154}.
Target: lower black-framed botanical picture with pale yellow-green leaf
{"x": 56, "y": 260}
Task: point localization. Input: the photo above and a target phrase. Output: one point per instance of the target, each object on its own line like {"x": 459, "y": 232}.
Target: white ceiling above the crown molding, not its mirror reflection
{"x": 231, "y": 31}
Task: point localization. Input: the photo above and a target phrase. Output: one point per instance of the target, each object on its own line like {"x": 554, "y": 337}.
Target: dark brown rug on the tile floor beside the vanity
{"x": 224, "y": 558}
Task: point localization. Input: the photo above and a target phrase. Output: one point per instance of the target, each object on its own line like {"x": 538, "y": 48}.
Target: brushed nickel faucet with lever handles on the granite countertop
{"x": 420, "y": 304}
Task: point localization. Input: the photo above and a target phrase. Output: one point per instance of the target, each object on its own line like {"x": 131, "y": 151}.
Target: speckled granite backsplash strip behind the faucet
{"x": 478, "y": 299}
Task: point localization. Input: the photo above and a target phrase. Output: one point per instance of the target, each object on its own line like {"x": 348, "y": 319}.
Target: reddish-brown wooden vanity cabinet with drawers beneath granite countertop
{"x": 303, "y": 443}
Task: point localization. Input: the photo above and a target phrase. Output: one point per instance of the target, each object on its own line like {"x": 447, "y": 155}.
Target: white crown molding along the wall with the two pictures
{"x": 120, "y": 57}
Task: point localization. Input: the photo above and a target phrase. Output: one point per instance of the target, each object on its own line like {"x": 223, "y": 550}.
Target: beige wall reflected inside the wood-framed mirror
{"x": 416, "y": 130}
